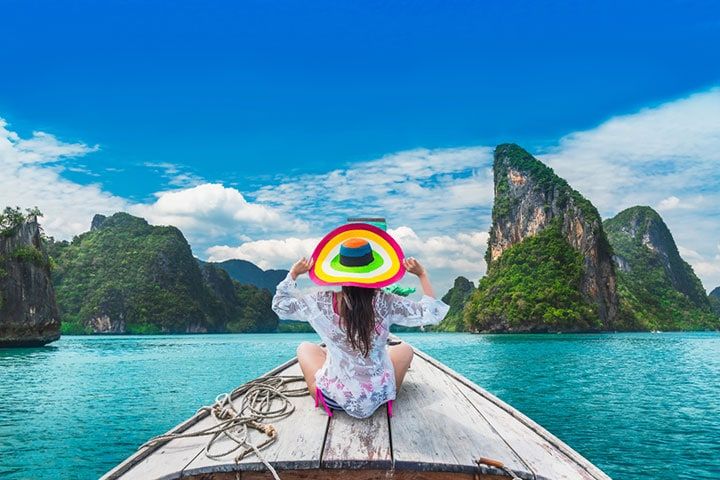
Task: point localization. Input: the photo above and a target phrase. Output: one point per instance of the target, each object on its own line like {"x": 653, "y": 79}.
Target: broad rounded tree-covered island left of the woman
{"x": 126, "y": 276}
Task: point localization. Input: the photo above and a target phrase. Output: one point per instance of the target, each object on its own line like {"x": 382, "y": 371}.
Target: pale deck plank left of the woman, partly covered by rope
{"x": 298, "y": 446}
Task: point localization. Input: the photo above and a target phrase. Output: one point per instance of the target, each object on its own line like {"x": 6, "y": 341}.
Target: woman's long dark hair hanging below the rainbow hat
{"x": 358, "y": 314}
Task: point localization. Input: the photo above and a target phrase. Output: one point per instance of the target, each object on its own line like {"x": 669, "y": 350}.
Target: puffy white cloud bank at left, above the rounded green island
{"x": 32, "y": 176}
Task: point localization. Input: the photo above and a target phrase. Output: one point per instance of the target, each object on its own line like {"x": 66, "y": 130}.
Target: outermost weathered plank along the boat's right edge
{"x": 496, "y": 407}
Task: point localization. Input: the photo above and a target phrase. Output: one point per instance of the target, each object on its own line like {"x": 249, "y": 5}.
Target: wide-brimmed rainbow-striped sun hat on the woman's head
{"x": 358, "y": 255}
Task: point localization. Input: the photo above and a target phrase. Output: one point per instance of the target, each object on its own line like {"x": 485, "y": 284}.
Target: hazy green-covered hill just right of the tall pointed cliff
{"x": 658, "y": 289}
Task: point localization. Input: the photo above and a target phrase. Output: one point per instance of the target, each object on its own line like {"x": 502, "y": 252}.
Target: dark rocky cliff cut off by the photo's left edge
{"x": 28, "y": 313}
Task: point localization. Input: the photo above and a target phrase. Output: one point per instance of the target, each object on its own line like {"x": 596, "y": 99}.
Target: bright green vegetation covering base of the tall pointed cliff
{"x": 533, "y": 287}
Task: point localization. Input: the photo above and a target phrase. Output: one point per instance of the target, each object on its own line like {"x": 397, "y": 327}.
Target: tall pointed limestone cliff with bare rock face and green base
{"x": 565, "y": 278}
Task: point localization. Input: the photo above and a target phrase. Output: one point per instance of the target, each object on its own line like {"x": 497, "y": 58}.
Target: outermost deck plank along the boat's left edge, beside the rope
{"x": 166, "y": 461}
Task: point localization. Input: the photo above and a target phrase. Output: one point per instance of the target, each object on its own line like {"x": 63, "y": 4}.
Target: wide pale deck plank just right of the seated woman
{"x": 434, "y": 427}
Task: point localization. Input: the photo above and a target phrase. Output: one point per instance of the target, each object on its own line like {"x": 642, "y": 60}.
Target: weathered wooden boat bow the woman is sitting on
{"x": 442, "y": 425}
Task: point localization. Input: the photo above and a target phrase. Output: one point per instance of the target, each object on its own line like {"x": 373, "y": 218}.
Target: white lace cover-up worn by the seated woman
{"x": 358, "y": 384}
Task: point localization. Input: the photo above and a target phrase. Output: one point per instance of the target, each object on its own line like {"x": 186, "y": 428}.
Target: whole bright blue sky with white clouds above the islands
{"x": 162, "y": 108}
